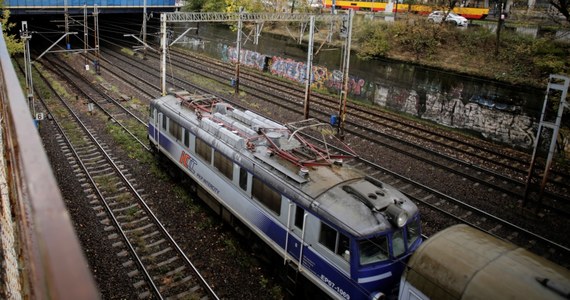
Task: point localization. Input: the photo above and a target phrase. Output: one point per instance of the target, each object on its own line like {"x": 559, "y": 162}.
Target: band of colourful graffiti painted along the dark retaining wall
{"x": 449, "y": 105}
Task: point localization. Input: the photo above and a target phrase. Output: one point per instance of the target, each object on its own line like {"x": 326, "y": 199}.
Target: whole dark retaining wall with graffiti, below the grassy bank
{"x": 490, "y": 109}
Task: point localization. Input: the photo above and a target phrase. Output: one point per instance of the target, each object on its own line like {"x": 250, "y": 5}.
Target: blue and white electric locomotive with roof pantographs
{"x": 346, "y": 233}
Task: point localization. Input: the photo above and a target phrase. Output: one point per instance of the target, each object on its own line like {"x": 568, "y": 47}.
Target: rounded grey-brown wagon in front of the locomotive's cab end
{"x": 462, "y": 262}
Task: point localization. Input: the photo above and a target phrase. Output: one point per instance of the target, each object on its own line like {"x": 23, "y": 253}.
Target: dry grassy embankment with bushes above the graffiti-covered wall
{"x": 519, "y": 60}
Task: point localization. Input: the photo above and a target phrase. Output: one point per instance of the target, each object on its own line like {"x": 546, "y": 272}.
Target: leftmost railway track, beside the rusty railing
{"x": 158, "y": 266}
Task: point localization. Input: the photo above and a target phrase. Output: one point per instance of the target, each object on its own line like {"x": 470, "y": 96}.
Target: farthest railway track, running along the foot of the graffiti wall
{"x": 513, "y": 163}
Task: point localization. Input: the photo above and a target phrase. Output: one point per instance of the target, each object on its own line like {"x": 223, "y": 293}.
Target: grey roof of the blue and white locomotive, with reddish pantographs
{"x": 335, "y": 189}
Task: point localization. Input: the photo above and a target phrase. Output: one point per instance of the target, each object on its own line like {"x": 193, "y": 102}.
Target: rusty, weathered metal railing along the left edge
{"x": 42, "y": 255}
